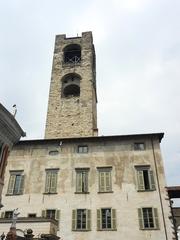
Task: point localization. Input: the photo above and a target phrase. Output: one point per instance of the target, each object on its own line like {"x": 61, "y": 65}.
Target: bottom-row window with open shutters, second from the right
{"x": 106, "y": 219}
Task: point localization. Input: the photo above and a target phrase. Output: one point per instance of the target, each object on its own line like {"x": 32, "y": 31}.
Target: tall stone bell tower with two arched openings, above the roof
{"x": 72, "y": 97}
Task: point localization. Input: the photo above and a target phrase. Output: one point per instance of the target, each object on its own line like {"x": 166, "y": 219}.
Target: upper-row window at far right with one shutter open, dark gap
{"x": 145, "y": 178}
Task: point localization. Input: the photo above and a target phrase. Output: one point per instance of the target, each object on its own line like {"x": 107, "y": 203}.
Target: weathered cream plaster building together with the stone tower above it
{"x": 92, "y": 187}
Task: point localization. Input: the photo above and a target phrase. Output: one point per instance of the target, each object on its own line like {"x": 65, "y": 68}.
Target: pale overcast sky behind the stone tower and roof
{"x": 138, "y": 64}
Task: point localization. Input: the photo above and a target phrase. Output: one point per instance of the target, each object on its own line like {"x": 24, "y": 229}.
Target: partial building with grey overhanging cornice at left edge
{"x": 10, "y": 133}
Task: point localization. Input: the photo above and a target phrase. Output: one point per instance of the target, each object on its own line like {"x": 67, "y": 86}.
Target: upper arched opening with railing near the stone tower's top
{"x": 72, "y": 54}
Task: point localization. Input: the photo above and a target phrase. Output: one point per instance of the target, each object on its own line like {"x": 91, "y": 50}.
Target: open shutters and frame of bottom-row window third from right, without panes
{"x": 75, "y": 220}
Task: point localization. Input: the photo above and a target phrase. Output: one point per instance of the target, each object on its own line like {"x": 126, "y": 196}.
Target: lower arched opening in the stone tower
{"x": 71, "y": 85}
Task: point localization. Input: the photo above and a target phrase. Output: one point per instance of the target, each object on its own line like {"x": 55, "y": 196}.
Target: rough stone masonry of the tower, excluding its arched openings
{"x": 74, "y": 116}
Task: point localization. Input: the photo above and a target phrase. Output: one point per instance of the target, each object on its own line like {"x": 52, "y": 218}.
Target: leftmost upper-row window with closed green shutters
{"x": 16, "y": 183}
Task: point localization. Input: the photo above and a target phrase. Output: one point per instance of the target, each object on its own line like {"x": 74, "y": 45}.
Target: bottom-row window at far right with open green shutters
{"x": 148, "y": 218}
